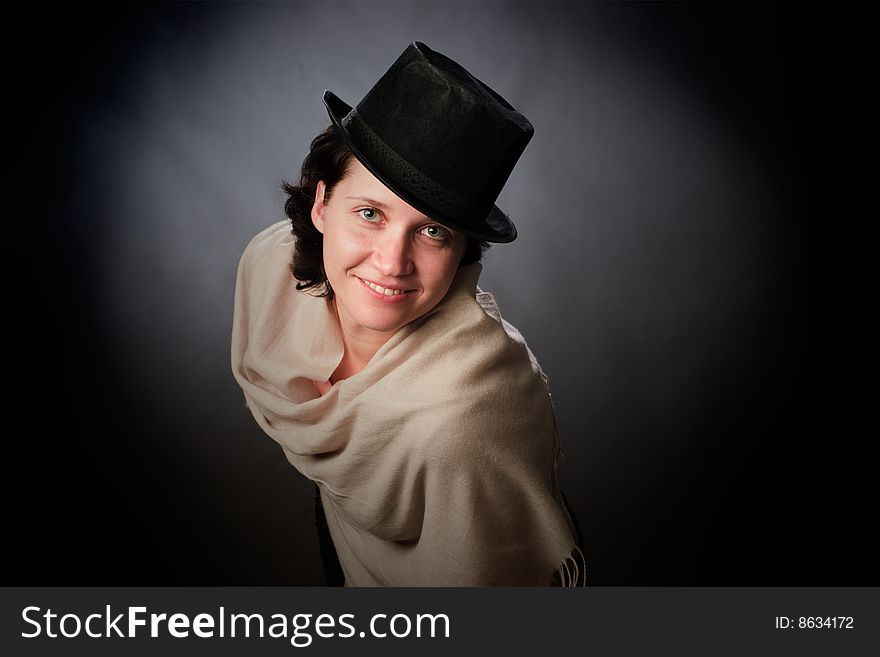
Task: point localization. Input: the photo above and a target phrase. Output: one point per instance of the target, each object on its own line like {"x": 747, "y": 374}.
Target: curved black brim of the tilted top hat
{"x": 393, "y": 171}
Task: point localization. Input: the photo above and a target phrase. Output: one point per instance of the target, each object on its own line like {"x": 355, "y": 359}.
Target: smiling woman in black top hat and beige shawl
{"x": 386, "y": 375}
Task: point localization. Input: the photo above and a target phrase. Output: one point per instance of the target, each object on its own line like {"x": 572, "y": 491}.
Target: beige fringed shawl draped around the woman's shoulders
{"x": 436, "y": 463}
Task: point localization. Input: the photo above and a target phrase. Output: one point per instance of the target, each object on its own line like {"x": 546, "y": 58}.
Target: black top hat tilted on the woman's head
{"x": 440, "y": 139}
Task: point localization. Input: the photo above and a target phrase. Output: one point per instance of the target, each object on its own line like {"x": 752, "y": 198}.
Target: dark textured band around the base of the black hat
{"x": 426, "y": 195}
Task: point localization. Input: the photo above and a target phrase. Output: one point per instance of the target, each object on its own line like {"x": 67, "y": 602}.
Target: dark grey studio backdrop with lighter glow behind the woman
{"x": 696, "y": 270}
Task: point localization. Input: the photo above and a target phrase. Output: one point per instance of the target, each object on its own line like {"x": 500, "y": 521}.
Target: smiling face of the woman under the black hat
{"x": 388, "y": 263}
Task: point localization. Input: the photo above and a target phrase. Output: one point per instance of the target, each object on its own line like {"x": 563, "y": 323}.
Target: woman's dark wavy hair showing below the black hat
{"x": 328, "y": 160}
